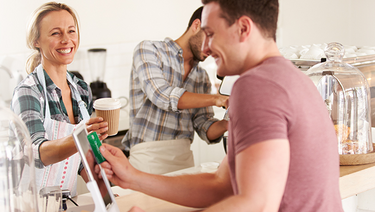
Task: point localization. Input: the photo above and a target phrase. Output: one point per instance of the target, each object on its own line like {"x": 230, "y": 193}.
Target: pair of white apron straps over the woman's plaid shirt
{"x": 82, "y": 105}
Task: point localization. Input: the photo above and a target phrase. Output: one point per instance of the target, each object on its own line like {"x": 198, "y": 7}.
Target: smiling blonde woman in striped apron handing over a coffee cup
{"x": 51, "y": 101}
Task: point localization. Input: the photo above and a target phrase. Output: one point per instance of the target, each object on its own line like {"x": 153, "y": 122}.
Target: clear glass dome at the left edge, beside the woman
{"x": 17, "y": 172}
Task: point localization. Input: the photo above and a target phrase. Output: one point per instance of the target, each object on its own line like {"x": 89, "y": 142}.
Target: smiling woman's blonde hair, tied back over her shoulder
{"x": 33, "y": 30}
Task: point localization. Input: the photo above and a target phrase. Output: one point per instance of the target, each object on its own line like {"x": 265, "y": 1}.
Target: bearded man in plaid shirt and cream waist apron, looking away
{"x": 169, "y": 100}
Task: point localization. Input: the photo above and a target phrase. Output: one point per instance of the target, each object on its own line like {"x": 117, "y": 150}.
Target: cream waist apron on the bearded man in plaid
{"x": 160, "y": 157}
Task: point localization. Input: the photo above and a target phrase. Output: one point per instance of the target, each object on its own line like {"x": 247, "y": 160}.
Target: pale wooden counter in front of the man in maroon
{"x": 353, "y": 180}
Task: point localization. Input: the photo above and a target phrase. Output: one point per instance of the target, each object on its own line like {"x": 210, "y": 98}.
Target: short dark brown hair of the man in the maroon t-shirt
{"x": 263, "y": 13}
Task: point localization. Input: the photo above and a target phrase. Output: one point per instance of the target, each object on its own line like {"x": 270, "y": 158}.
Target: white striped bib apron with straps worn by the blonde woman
{"x": 63, "y": 173}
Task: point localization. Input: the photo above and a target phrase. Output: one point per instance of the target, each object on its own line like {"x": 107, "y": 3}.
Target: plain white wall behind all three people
{"x": 119, "y": 25}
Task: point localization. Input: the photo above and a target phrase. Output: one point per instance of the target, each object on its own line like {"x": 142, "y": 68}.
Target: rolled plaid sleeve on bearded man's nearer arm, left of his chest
{"x": 149, "y": 68}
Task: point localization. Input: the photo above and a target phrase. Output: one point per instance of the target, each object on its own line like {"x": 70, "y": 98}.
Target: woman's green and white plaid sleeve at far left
{"x": 26, "y": 103}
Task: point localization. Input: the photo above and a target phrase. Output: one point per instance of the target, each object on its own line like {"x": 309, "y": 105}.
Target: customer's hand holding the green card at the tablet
{"x": 117, "y": 167}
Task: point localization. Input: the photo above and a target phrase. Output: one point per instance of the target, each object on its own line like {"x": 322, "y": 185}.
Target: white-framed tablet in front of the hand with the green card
{"x": 108, "y": 203}
